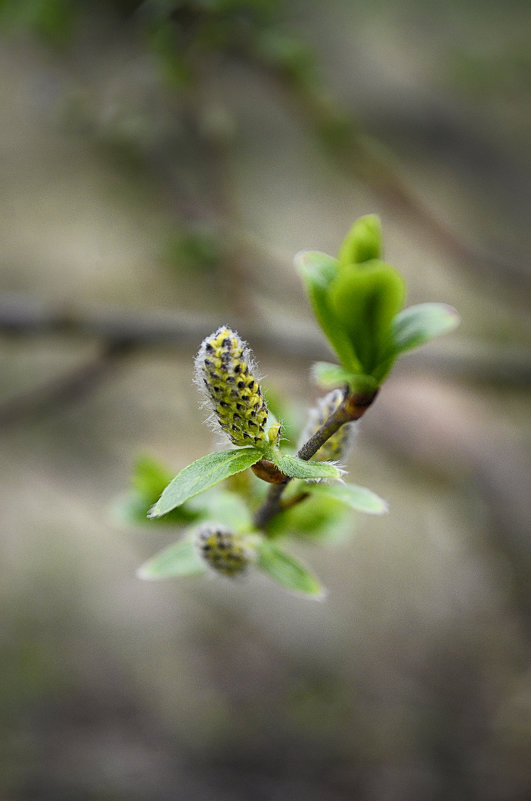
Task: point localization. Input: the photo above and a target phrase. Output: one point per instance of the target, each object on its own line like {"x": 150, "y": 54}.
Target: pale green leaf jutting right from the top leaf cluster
{"x": 418, "y": 324}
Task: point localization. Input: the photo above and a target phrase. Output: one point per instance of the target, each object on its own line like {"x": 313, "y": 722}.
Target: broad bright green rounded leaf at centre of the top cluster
{"x": 364, "y": 299}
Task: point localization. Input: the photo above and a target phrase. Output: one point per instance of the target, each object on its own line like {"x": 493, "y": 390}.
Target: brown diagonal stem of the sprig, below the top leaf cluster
{"x": 351, "y": 408}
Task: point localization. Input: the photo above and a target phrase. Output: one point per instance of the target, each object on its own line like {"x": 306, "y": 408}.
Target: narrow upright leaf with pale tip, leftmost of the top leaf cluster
{"x": 318, "y": 271}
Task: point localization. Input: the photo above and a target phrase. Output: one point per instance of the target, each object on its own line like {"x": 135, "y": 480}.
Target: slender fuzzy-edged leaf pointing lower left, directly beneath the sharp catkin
{"x": 203, "y": 474}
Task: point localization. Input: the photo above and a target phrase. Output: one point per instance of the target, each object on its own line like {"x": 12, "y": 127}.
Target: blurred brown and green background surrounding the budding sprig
{"x": 160, "y": 164}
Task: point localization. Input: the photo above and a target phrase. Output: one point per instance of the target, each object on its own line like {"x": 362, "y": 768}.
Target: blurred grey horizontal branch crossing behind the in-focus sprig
{"x": 24, "y": 315}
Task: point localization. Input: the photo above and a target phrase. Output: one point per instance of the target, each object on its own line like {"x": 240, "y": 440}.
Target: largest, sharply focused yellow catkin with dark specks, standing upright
{"x": 224, "y": 369}
